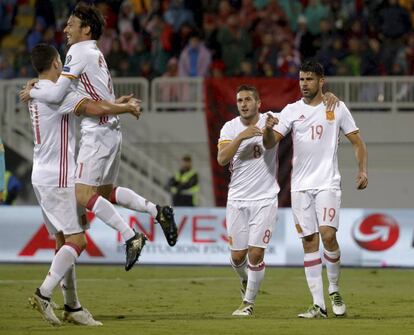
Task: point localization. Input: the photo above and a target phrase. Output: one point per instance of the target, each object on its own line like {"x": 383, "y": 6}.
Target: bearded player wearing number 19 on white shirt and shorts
{"x": 316, "y": 188}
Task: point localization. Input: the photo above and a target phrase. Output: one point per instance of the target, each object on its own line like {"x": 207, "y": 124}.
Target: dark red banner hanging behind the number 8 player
{"x": 221, "y": 106}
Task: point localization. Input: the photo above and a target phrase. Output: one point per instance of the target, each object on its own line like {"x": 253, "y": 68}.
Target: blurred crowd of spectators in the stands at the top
{"x": 266, "y": 38}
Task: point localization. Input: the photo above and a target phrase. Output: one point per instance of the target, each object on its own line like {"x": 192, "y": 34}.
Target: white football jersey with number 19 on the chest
{"x": 315, "y": 135}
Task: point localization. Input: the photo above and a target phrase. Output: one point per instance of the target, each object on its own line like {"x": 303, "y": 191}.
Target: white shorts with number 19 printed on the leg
{"x": 314, "y": 208}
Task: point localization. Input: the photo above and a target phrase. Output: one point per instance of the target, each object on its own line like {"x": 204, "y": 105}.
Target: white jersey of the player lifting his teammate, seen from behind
{"x": 54, "y": 139}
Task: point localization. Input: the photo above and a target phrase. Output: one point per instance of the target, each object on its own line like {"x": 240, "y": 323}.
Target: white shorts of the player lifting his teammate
{"x": 59, "y": 209}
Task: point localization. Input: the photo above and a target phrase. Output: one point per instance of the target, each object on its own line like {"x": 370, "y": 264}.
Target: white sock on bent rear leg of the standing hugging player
{"x": 63, "y": 260}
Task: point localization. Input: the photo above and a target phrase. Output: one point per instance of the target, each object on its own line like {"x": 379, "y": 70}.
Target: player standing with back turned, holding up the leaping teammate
{"x": 53, "y": 182}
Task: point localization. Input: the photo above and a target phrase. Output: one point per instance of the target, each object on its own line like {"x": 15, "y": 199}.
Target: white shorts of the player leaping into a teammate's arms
{"x": 99, "y": 157}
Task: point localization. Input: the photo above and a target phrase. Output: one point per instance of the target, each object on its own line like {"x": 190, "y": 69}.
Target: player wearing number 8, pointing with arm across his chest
{"x": 252, "y": 197}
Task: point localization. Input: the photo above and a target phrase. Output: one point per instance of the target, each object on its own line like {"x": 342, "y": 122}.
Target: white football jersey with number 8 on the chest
{"x": 253, "y": 168}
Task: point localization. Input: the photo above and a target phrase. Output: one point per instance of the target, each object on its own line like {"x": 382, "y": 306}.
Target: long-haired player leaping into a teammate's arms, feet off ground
{"x": 100, "y": 147}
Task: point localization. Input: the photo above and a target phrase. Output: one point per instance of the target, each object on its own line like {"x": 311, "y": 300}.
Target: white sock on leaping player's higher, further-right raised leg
{"x": 127, "y": 198}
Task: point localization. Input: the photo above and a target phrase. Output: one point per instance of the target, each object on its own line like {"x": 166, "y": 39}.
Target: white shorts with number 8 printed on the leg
{"x": 250, "y": 223}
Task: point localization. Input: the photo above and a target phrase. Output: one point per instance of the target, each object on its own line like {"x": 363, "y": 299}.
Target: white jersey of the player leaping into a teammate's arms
{"x": 86, "y": 66}
